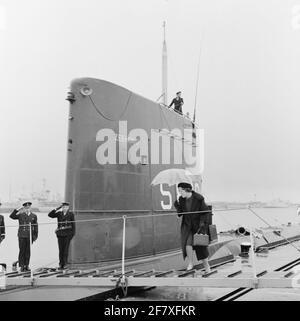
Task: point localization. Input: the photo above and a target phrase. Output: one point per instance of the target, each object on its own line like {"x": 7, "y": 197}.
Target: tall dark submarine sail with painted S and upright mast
{"x": 101, "y": 192}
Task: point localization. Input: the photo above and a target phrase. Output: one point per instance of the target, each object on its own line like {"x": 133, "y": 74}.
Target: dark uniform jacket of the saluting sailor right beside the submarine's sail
{"x": 65, "y": 223}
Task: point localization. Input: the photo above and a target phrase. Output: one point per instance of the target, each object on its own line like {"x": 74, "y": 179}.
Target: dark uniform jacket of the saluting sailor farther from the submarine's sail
{"x": 24, "y": 221}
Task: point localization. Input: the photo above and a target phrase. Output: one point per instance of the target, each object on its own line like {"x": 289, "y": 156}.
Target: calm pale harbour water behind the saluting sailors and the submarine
{"x": 45, "y": 249}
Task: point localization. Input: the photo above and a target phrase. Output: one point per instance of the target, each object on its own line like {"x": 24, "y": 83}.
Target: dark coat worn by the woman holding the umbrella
{"x": 193, "y": 222}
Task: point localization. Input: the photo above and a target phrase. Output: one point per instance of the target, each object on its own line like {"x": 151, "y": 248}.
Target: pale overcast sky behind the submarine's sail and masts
{"x": 248, "y": 92}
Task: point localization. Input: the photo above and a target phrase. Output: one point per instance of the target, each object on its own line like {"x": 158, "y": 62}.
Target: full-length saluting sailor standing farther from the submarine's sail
{"x": 25, "y": 216}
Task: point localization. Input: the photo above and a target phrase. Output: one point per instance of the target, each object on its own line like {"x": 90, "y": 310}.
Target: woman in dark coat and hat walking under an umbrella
{"x": 190, "y": 201}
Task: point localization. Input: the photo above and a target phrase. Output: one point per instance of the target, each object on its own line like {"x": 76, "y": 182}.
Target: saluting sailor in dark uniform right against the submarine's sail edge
{"x": 64, "y": 232}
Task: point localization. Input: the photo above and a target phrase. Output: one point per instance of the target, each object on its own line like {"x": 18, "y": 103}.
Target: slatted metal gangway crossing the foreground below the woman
{"x": 171, "y": 278}
